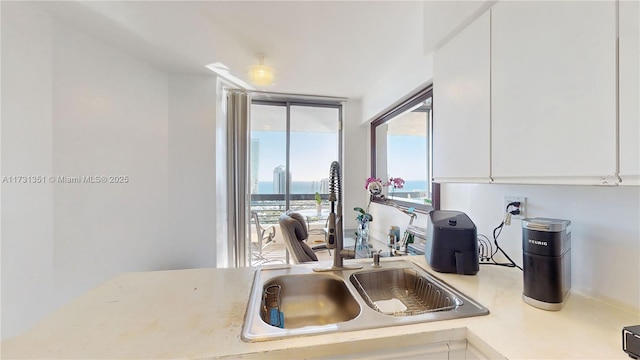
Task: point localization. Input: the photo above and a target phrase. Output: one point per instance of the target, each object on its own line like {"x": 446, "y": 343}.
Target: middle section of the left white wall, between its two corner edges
{"x": 110, "y": 118}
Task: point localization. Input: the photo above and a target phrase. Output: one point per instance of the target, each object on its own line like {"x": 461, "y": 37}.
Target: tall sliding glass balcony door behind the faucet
{"x": 292, "y": 147}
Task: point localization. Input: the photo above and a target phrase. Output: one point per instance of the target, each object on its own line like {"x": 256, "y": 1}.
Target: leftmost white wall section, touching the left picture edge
{"x": 27, "y": 216}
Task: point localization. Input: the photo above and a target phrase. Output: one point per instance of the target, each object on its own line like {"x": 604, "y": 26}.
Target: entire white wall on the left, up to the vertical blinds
{"x": 73, "y": 105}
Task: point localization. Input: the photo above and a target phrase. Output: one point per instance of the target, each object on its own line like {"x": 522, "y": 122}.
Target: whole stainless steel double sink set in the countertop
{"x": 294, "y": 300}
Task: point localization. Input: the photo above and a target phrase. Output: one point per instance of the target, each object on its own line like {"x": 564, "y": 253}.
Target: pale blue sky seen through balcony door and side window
{"x": 314, "y": 143}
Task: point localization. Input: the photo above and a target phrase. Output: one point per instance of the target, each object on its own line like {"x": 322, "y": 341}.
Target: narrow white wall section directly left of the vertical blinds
{"x": 192, "y": 175}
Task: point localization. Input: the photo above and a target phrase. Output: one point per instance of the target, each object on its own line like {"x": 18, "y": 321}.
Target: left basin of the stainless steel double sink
{"x": 312, "y": 299}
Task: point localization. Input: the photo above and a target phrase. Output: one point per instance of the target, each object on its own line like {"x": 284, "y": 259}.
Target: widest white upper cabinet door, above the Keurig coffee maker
{"x": 554, "y": 92}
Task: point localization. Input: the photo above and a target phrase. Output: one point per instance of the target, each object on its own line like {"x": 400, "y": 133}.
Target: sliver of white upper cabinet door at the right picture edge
{"x": 629, "y": 95}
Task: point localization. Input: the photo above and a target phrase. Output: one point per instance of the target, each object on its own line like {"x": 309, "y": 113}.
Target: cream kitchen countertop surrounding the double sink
{"x": 199, "y": 313}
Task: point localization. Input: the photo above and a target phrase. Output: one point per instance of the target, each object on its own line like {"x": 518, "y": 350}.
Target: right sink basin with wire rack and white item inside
{"x": 403, "y": 292}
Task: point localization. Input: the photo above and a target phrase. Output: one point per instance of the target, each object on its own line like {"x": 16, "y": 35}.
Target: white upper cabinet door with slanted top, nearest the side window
{"x": 461, "y": 114}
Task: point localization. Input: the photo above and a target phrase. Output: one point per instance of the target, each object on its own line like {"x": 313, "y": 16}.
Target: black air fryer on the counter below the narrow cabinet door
{"x": 452, "y": 244}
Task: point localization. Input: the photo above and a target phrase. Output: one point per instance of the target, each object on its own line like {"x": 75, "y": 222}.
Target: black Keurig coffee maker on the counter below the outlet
{"x": 546, "y": 258}
